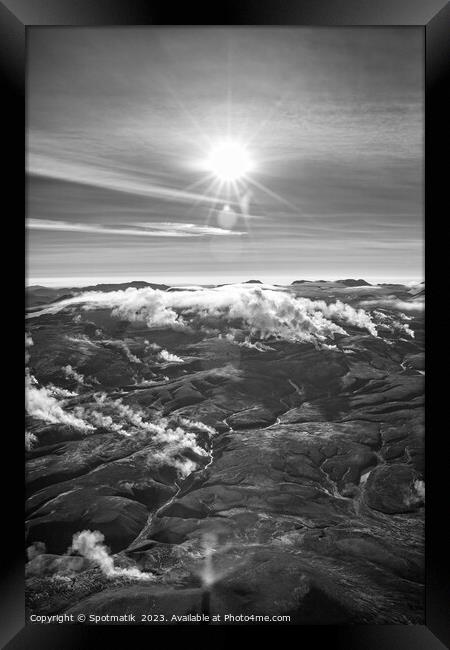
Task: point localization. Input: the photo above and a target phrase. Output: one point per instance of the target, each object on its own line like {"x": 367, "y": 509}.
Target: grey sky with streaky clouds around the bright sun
{"x": 121, "y": 124}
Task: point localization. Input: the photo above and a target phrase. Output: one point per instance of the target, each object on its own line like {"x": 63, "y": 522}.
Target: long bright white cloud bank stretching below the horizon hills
{"x": 262, "y": 312}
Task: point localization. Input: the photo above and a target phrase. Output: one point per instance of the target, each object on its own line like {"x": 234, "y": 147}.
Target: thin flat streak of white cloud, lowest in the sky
{"x": 157, "y": 229}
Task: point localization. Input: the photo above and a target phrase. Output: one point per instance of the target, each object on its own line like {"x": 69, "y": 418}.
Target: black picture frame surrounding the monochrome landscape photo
{"x": 434, "y": 16}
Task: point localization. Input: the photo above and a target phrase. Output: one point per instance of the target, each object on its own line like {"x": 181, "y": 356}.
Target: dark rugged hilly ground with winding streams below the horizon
{"x": 283, "y": 474}
